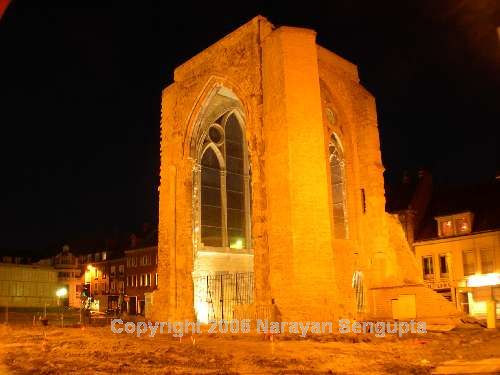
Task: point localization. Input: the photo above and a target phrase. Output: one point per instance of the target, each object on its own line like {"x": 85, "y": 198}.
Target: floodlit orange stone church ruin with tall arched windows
{"x": 272, "y": 192}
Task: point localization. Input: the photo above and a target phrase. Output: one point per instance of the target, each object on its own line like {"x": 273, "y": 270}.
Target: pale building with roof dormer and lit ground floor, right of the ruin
{"x": 456, "y": 240}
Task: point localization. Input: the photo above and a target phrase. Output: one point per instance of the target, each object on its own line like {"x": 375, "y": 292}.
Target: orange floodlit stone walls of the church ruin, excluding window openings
{"x": 284, "y": 82}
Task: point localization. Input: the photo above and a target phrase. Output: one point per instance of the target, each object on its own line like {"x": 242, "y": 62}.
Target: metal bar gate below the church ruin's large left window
{"x": 216, "y": 296}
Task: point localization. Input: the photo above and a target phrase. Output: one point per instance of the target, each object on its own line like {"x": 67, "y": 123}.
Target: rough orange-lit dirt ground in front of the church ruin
{"x": 51, "y": 350}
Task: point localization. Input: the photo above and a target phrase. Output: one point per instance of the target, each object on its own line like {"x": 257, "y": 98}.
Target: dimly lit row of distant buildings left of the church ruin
{"x": 117, "y": 276}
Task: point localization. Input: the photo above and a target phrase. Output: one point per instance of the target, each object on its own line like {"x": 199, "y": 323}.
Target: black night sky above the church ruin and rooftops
{"x": 80, "y": 98}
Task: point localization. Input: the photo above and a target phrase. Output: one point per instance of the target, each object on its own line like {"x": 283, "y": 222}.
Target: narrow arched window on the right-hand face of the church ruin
{"x": 337, "y": 172}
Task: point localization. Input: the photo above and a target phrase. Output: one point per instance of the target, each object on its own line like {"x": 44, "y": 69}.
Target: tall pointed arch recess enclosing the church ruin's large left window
{"x": 221, "y": 188}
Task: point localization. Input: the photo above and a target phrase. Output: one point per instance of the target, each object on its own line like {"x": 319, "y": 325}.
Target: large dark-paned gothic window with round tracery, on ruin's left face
{"x": 224, "y": 185}
